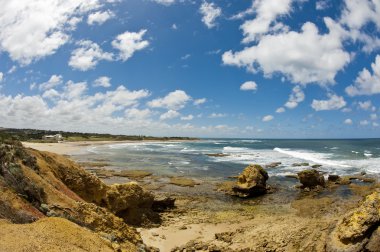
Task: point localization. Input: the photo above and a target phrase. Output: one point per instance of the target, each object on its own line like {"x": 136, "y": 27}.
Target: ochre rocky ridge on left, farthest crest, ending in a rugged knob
{"x": 128, "y": 201}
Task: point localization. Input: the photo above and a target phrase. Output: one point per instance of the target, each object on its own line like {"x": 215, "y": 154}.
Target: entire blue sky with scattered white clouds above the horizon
{"x": 201, "y": 68}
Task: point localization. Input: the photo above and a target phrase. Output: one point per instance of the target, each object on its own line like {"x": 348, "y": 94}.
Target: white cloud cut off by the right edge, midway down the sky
{"x": 367, "y": 83}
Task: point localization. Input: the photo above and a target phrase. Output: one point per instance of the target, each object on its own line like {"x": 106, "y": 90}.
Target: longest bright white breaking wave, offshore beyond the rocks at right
{"x": 319, "y": 158}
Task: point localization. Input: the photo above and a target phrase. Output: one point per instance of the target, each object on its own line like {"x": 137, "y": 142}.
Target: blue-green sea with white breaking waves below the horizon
{"x": 340, "y": 157}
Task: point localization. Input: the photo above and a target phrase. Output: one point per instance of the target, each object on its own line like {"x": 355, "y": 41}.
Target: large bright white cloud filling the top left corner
{"x": 30, "y": 30}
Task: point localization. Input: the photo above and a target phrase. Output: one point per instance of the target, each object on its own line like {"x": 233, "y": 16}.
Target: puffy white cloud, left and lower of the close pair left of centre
{"x": 87, "y": 56}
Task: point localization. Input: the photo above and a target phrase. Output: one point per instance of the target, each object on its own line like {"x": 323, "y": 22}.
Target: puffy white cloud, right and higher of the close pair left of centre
{"x": 129, "y": 42}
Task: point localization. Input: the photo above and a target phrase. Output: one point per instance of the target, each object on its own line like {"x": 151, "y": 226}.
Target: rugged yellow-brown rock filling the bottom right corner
{"x": 359, "y": 229}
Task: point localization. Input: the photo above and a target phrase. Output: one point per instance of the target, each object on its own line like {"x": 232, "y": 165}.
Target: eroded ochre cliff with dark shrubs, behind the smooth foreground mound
{"x": 35, "y": 185}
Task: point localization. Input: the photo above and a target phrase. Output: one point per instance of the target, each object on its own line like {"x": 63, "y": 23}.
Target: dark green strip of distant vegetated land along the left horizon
{"x": 35, "y": 135}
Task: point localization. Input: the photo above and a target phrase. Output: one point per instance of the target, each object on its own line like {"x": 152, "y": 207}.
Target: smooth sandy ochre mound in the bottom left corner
{"x": 50, "y": 234}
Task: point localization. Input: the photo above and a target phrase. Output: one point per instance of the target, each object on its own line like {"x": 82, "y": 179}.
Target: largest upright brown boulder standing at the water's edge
{"x": 251, "y": 182}
